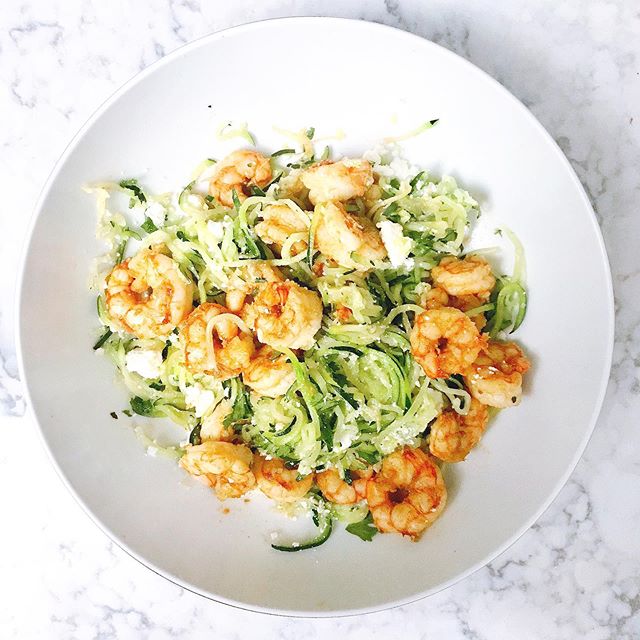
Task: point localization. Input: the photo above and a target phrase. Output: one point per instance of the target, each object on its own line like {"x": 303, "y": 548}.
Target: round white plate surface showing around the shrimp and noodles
{"x": 369, "y": 81}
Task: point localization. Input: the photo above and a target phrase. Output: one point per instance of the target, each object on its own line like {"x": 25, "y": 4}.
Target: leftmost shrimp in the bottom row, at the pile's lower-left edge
{"x": 225, "y": 467}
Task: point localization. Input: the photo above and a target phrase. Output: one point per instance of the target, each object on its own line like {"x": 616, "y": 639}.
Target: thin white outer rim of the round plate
{"x": 419, "y": 41}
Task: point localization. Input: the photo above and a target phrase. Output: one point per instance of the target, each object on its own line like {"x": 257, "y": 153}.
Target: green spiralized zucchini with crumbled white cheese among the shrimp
{"x": 358, "y": 394}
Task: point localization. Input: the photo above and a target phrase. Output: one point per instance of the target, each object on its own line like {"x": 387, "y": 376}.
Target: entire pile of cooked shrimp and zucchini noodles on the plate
{"x": 312, "y": 358}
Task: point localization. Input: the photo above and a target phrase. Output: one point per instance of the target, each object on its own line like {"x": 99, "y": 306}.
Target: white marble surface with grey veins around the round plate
{"x": 576, "y": 65}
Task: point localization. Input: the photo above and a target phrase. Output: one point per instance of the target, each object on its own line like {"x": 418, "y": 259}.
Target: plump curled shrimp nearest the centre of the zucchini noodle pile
{"x": 285, "y": 315}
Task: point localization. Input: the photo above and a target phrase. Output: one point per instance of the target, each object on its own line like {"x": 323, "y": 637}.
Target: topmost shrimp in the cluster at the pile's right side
{"x": 470, "y": 276}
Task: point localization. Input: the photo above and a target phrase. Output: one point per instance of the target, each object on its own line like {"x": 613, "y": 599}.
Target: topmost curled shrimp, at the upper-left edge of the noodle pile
{"x": 237, "y": 172}
